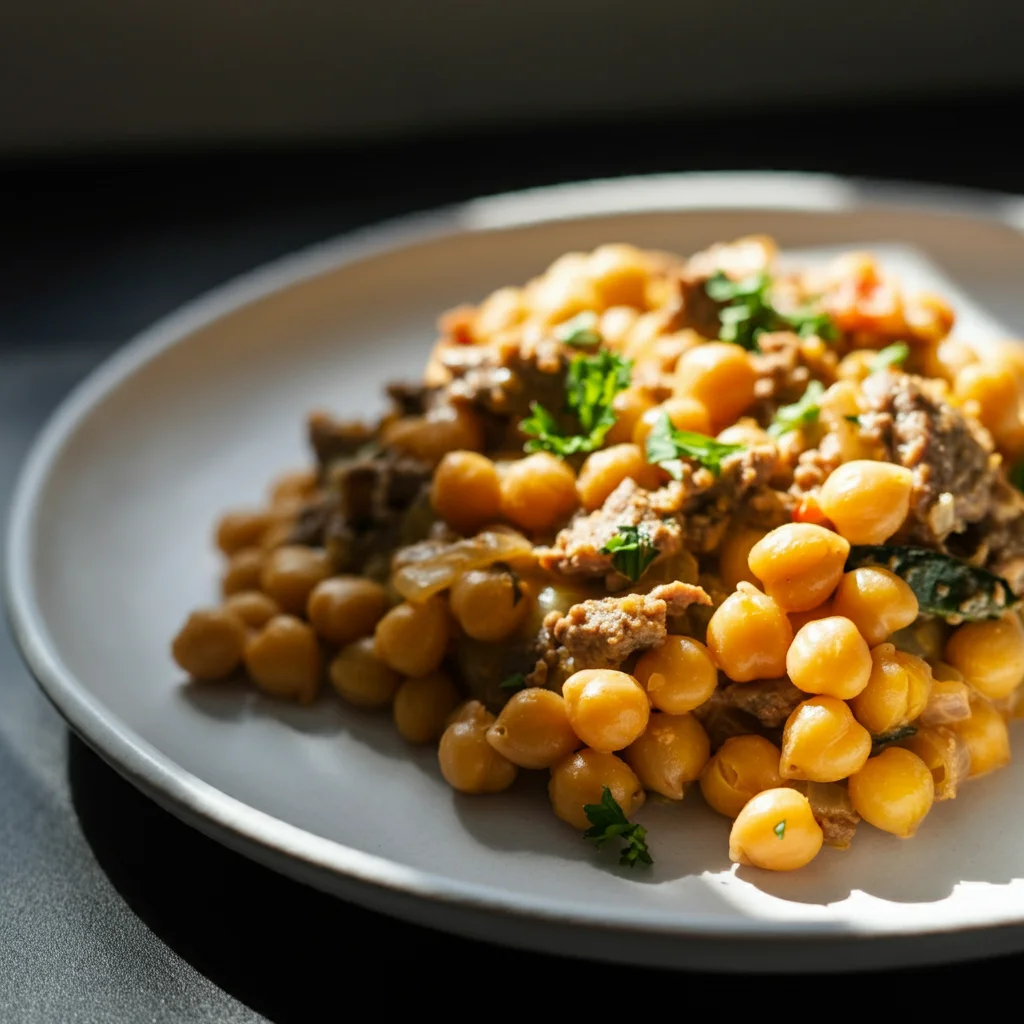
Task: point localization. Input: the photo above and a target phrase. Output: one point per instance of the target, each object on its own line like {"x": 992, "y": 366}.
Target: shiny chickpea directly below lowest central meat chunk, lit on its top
{"x": 608, "y": 710}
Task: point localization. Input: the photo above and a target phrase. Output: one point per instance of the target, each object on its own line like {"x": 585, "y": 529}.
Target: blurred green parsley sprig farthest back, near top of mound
{"x": 749, "y": 313}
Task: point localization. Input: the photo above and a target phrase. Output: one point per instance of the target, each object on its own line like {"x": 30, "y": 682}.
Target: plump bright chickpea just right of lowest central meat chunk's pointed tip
{"x": 749, "y": 635}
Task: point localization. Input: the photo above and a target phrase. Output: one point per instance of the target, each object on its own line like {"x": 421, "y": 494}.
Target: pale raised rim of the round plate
{"x": 271, "y": 840}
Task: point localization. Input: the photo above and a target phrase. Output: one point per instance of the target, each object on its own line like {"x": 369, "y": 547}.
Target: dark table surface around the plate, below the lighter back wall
{"x": 111, "y": 910}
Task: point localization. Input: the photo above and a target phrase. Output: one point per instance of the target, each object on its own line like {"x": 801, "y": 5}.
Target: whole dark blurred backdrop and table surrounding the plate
{"x": 149, "y": 152}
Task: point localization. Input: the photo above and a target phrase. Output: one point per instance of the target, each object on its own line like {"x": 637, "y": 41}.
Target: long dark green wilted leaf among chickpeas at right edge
{"x": 944, "y": 586}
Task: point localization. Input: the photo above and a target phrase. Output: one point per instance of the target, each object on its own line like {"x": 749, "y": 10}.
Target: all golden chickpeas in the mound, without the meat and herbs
{"x": 873, "y": 670}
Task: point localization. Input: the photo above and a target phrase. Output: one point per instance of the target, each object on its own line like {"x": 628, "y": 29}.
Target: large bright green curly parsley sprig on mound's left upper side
{"x": 591, "y": 386}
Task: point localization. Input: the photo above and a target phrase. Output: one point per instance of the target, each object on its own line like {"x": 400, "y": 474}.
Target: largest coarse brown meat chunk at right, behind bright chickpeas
{"x": 956, "y": 475}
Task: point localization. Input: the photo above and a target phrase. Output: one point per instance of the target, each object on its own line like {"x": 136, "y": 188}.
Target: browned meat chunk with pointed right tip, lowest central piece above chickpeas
{"x": 604, "y": 633}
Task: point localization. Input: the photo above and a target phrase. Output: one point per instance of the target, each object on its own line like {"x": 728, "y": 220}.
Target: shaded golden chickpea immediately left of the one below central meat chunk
{"x": 533, "y": 730}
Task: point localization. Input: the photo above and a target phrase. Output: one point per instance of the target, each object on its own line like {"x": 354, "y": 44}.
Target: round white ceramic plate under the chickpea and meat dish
{"x": 110, "y": 547}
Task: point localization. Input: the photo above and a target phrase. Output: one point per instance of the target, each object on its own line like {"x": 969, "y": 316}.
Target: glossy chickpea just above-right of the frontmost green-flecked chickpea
{"x": 823, "y": 743}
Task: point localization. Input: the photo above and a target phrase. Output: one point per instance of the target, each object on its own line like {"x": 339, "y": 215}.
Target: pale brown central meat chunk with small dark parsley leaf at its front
{"x": 578, "y": 548}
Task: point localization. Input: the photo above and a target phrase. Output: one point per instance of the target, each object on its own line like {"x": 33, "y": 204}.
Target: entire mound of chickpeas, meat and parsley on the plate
{"x": 651, "y": 524}
